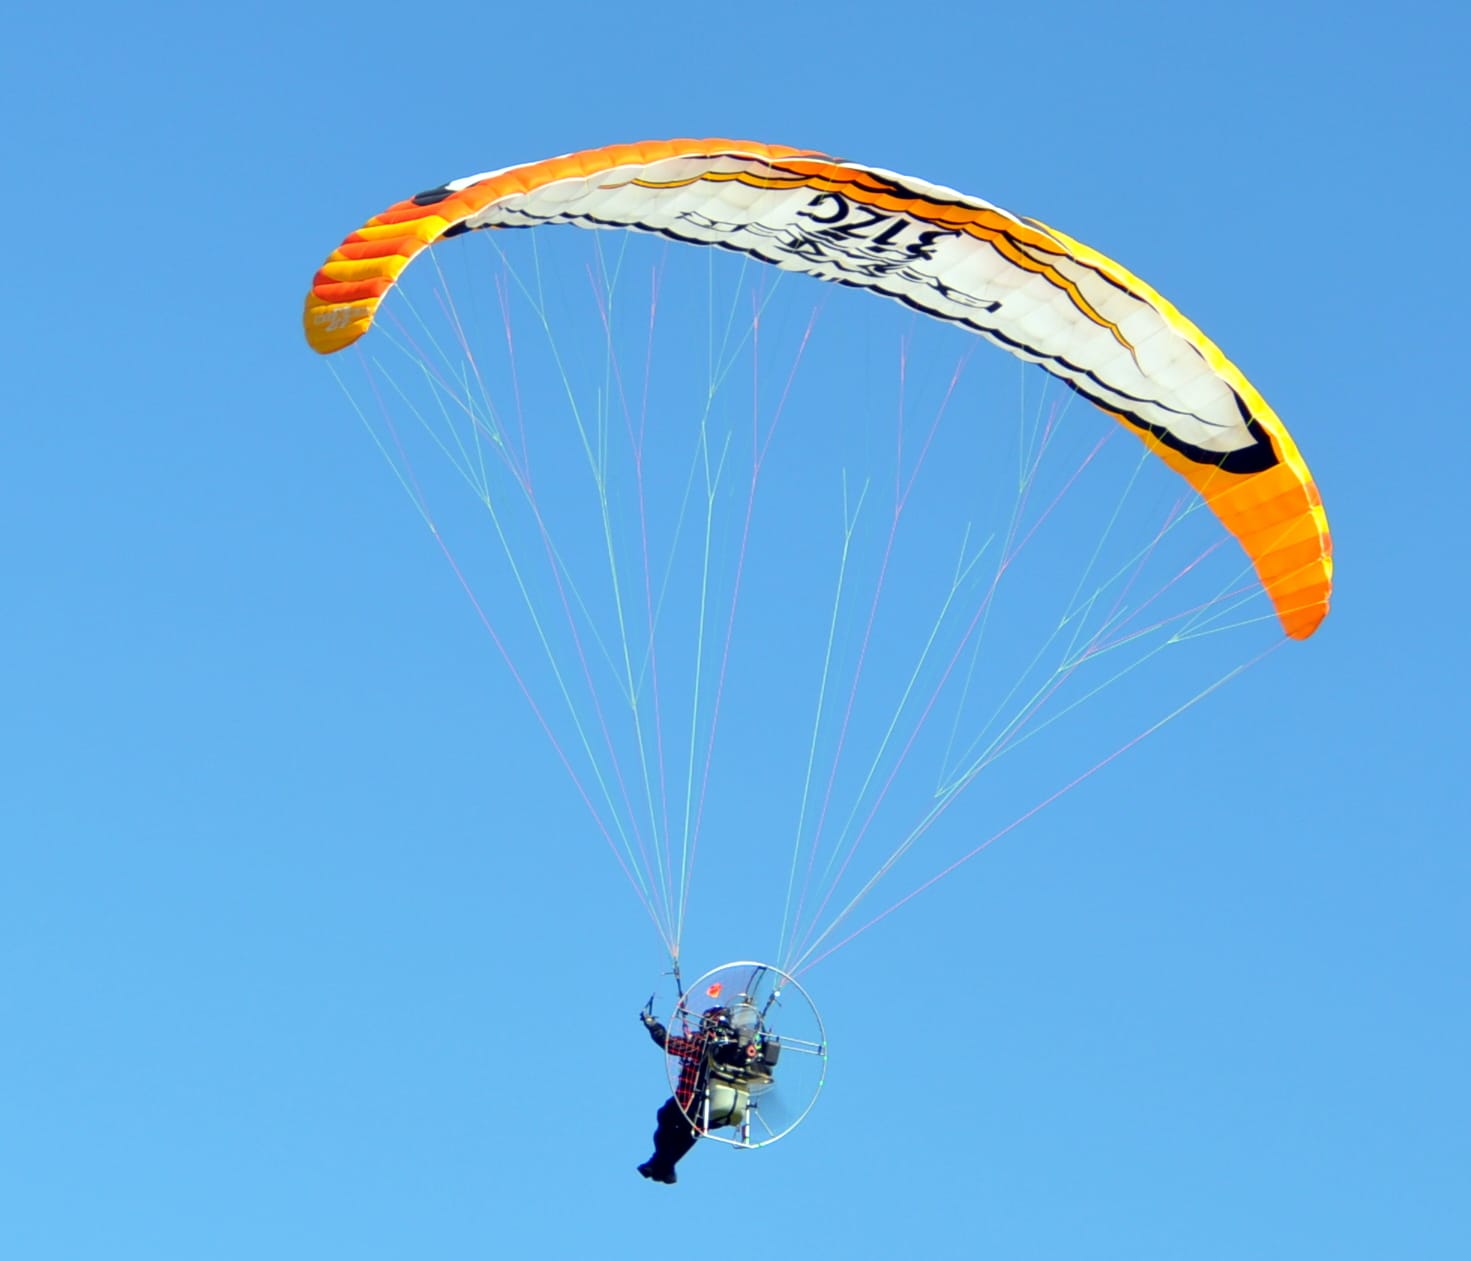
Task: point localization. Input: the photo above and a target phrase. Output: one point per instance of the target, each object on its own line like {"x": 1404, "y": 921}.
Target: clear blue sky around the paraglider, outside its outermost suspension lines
{"x": 305, "y": 947}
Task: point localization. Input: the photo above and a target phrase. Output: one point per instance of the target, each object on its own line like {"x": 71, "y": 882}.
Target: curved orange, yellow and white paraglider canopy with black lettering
{"x": 1030, "y": 289}
